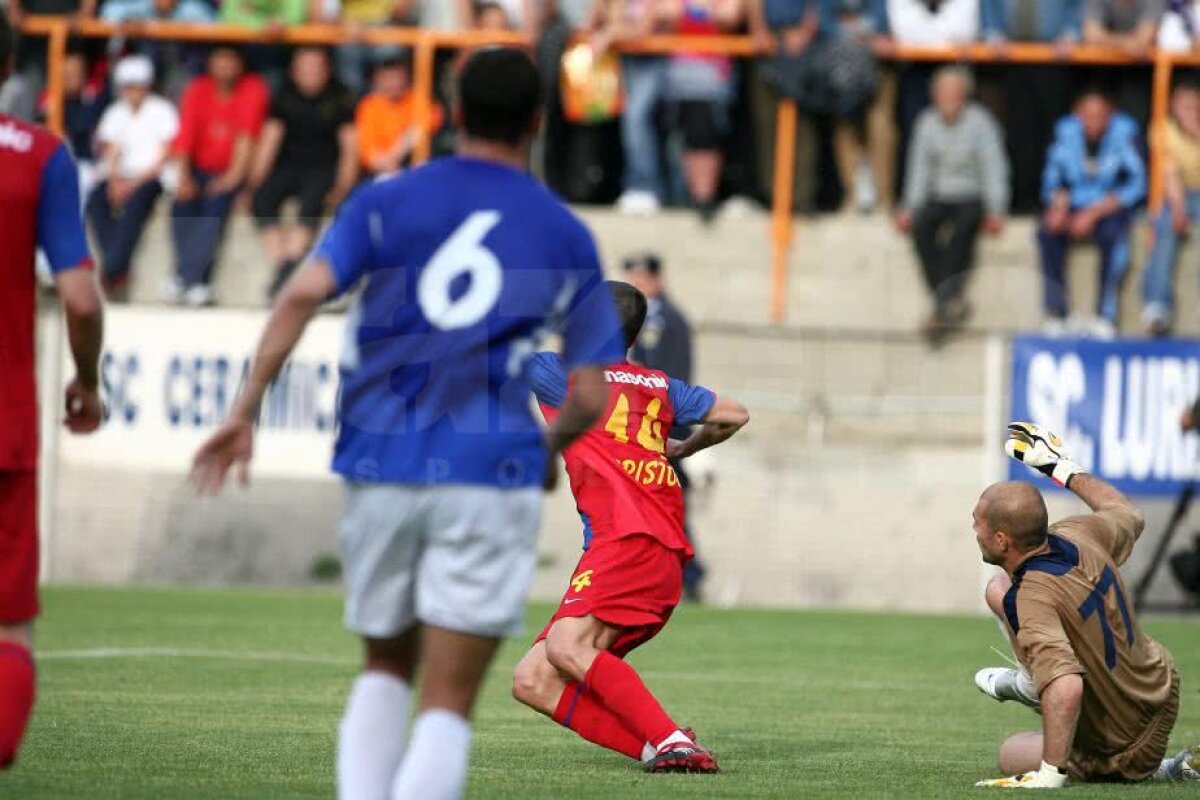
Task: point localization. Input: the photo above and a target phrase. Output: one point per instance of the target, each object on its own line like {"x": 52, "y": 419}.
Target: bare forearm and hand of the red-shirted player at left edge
{"x": 85, "y": 310}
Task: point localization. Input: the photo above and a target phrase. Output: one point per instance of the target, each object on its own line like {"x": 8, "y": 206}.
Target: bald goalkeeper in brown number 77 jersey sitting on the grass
{"x": 1108, "y": 694}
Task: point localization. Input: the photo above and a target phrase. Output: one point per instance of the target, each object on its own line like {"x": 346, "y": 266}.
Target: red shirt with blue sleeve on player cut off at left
{"x": 39, "y": 208}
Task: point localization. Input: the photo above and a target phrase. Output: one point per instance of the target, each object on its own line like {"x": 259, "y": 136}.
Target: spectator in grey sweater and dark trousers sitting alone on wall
{"x": 958, "y": 183}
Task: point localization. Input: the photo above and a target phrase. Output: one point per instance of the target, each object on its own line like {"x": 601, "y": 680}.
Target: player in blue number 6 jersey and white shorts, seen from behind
{"x": 464, "y": 263}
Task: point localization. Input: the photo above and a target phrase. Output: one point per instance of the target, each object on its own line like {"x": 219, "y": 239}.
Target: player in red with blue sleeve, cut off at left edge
{"x": 39, "y": 208}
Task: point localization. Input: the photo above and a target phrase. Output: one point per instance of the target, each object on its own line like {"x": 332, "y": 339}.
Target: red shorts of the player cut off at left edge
{"x": 19, "y": 546}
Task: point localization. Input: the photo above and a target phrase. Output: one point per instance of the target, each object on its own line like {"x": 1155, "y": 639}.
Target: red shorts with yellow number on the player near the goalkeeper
{"x": 633, "y": 584}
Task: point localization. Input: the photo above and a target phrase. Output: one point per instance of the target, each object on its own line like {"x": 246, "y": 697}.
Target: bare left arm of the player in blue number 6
{"x": 233, "y": 442}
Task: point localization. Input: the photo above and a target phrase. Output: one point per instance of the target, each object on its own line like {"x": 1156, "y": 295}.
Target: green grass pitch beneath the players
{"x": 214, "y": 694}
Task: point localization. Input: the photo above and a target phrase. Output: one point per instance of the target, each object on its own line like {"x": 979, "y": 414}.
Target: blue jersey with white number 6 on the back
{"x": 466, "y": 266}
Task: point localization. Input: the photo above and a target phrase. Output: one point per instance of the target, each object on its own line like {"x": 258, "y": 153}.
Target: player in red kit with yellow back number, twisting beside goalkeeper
{"x": 631, "y": 578}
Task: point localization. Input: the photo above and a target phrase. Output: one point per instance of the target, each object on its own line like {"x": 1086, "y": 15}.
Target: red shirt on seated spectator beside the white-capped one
{"x": 212, "y": 122}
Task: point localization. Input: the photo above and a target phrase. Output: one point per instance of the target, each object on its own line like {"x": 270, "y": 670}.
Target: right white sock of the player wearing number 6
{"x": 436, "y": 765}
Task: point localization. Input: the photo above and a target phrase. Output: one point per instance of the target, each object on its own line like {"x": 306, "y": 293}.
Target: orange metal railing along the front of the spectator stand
{"x": 425, "y": 45}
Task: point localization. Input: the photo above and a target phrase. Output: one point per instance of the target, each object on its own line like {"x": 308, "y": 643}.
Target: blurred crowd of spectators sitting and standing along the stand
{"x": 949, "y": 153}
